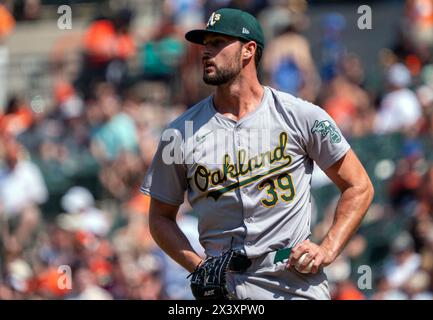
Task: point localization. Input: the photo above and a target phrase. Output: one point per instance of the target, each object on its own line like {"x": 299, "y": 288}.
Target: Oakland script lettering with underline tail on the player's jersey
{"x": 270, "y": 160}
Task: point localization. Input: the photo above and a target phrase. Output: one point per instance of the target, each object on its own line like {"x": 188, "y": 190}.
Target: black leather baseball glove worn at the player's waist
{"x": 208, "y": 281}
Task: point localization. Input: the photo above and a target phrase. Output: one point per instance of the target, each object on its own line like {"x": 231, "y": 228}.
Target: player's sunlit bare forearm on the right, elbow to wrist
{"x": 350, "y": 211}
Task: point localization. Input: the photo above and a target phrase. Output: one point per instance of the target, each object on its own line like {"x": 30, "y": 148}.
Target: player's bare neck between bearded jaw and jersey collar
{"x": 238, "y": 98}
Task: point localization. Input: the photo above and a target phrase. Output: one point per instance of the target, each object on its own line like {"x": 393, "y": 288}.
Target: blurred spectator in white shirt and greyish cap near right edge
{"x": 399, "y": 109}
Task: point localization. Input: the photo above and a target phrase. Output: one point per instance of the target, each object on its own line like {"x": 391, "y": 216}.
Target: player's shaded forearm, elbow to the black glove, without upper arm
{"x": 172, "y": 240}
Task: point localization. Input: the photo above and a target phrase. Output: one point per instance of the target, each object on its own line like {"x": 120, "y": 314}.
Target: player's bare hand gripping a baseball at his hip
{"x": 314, "y": 252}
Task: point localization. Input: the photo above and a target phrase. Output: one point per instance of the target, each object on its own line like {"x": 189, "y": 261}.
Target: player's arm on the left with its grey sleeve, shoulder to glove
{"x": 165, "y": 182}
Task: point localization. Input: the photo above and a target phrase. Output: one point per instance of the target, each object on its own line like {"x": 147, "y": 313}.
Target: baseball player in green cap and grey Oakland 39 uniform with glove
{"x": 246, "y": 161}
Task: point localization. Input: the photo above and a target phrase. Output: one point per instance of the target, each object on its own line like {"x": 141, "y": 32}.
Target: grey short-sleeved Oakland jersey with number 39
{"x": 249, "y": 181}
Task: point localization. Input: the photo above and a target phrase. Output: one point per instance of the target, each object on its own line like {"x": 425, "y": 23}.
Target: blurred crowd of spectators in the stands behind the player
{"x": 82, "y": 109}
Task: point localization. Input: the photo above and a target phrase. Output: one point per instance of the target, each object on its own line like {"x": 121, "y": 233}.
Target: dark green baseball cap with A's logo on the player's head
{"x": 230, "y": 22}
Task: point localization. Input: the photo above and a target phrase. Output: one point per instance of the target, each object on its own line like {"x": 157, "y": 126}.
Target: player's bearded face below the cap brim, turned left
{"x": 221, "y": 59}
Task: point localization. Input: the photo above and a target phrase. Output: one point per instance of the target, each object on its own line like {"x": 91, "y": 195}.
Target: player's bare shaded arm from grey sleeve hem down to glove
{"x": 167, "y": 234}
